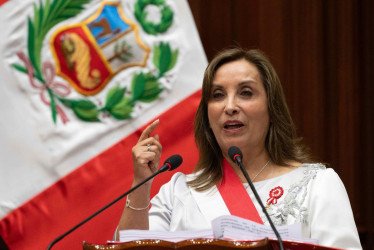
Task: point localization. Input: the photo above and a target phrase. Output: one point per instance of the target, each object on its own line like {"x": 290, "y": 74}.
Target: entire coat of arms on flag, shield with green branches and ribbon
{"x": 88, "y": 54}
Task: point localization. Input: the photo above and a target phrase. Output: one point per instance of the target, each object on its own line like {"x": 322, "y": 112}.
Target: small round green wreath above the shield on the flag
{"x": 148, "y": 26}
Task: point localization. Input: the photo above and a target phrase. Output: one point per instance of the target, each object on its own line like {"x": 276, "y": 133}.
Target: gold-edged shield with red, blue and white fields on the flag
{"x": 88, "y": 54}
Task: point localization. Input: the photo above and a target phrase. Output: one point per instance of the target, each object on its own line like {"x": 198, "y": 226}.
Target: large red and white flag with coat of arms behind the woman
{"x": 80, "y": 80}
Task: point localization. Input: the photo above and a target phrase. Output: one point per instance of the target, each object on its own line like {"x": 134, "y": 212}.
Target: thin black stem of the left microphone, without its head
{"x": 162, "y": 169}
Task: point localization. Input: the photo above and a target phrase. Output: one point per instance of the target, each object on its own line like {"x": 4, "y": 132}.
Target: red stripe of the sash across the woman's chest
{"x": 236, "y": 196}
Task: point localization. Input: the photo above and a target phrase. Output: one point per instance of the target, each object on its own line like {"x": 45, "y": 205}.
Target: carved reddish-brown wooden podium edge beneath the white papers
{"x": 264, "y": 244}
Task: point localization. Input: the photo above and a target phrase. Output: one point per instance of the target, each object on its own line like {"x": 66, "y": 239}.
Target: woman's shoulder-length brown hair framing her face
{"x": 281, "y": 142}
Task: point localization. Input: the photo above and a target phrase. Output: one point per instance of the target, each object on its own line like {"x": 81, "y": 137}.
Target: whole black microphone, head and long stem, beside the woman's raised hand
{"x": 170, "y": 164}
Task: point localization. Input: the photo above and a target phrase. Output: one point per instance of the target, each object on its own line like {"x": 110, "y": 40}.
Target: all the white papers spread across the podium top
{"x": 225, "y": 227}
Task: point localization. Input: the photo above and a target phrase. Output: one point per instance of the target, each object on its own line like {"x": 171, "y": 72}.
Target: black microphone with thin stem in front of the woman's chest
{"x": 236, "y": 155}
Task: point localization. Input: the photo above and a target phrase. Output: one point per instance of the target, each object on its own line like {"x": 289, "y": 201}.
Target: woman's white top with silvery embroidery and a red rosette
{"x": 312, "y": 195}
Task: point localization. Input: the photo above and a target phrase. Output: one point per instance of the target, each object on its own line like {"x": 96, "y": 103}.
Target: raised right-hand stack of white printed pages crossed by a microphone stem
{"x": 236, "y": 228}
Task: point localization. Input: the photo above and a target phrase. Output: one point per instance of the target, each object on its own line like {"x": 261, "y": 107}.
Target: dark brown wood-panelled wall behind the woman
{"x": 323, "y": 53}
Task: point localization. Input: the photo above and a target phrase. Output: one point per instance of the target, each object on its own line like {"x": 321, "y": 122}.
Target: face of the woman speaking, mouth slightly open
{"x": 237, "y": 108}
